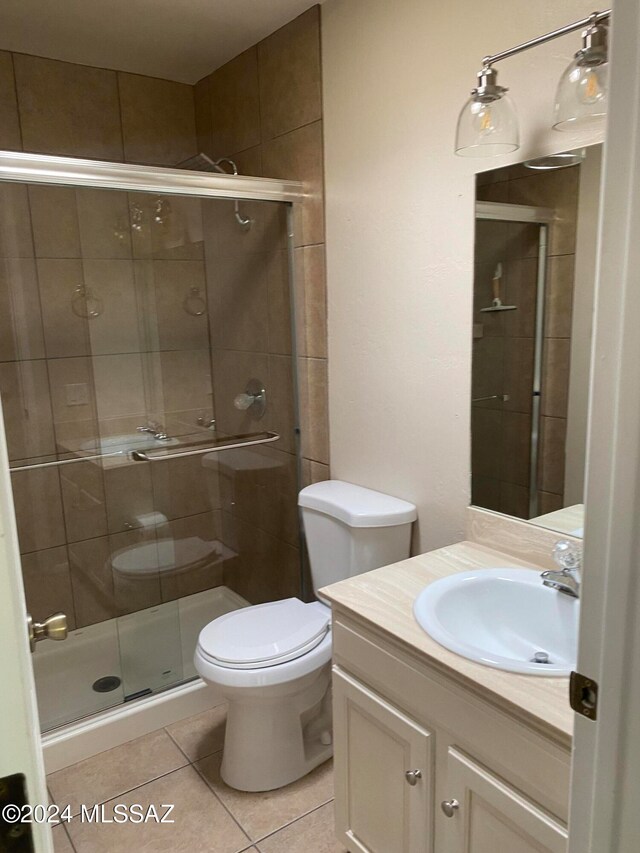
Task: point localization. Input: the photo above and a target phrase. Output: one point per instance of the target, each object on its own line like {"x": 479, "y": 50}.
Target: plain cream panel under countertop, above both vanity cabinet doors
{"x": 535, "y": 764}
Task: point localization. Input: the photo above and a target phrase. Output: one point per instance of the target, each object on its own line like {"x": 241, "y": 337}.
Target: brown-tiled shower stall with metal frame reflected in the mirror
{"x": 508, "y": 376}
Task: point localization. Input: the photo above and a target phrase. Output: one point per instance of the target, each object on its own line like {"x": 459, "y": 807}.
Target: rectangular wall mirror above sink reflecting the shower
{"x": 535, "y": 248}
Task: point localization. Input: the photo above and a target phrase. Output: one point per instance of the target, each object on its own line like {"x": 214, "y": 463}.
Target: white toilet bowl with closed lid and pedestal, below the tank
{"x": 272, "y": 663}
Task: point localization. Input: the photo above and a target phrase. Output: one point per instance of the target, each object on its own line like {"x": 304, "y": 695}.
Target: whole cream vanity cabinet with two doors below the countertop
{"x": 424, "y": 764}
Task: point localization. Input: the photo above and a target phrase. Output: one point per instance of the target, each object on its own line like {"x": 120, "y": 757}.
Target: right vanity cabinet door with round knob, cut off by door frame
{"x": 492, "y": 817}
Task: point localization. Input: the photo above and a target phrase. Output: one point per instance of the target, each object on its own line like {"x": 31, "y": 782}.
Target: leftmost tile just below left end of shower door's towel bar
{"x": 38, "y": 505}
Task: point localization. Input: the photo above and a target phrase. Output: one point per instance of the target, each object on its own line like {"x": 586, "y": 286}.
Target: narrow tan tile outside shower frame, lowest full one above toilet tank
{"x": 314, "y": 415}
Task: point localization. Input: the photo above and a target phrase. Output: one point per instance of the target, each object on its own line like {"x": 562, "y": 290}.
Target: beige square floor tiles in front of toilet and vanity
{"x": 181, "y": 765}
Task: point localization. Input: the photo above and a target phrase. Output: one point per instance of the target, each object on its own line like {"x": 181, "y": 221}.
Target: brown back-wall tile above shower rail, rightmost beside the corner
{"x": 158, "y": 120}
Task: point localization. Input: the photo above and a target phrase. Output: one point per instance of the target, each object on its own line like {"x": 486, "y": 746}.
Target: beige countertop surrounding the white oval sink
{"x": 385, "y": 597}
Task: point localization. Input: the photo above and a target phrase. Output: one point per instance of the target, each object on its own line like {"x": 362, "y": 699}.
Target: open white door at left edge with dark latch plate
{"x": 20, "y": 750}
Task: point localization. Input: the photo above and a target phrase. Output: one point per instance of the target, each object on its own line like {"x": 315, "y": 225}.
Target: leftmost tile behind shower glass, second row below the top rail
{"x": 21, "y": 335}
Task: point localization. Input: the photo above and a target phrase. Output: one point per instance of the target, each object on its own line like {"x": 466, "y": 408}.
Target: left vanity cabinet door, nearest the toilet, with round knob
{"x": 384, "y": 773}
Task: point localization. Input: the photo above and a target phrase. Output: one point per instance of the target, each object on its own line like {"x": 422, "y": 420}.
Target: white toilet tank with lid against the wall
{"x": 350, "y": 530}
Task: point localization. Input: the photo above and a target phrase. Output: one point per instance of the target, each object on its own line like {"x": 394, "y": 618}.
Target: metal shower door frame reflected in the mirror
{"x": 543, "y": 217}
